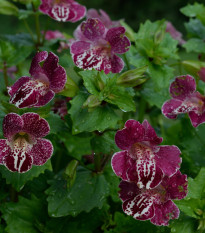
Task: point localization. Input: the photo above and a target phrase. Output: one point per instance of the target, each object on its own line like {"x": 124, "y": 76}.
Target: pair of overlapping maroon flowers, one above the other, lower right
{"x": 150, "y": 174}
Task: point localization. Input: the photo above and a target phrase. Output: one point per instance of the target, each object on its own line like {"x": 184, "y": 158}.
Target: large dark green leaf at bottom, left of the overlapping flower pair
{"x": 89, "y": 191}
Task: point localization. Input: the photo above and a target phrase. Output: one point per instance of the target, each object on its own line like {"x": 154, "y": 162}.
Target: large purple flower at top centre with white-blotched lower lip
{"x": 96, "y": 47}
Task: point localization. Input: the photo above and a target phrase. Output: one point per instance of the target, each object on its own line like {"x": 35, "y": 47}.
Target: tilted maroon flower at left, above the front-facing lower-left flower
{"x": 47, "y": 78}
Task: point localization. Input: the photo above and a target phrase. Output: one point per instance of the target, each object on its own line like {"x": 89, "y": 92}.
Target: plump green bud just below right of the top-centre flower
{"x": 132, "y": 78}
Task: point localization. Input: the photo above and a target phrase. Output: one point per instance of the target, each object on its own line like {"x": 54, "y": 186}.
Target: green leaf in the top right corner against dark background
{"x": 196, "y": 10}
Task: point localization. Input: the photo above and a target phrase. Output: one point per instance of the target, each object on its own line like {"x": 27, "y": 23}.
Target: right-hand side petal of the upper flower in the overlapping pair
{"x": 168, "y": 159}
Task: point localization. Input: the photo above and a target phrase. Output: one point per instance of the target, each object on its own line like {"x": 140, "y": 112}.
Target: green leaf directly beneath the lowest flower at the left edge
{"x": 18, "y": 180}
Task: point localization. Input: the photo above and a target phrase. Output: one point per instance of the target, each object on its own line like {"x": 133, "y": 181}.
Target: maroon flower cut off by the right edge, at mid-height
{"x": 185, "y": 99}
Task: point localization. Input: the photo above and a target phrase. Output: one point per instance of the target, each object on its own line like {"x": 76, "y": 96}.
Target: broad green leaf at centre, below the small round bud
{"x": 100, "y": 118}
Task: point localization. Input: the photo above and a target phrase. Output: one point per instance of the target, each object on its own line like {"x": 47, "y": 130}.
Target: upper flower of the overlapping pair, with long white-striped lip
{"x": 142, "y": 160}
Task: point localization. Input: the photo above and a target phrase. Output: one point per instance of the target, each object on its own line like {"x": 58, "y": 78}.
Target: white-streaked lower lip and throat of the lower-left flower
{"x": 19, "y": 159}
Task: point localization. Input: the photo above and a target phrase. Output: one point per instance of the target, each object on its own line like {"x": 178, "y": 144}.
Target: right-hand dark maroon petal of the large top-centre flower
{"x": 117, "y": 39}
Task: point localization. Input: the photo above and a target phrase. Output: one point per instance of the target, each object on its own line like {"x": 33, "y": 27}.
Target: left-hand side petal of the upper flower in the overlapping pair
{"x": 121, "y": 163}
